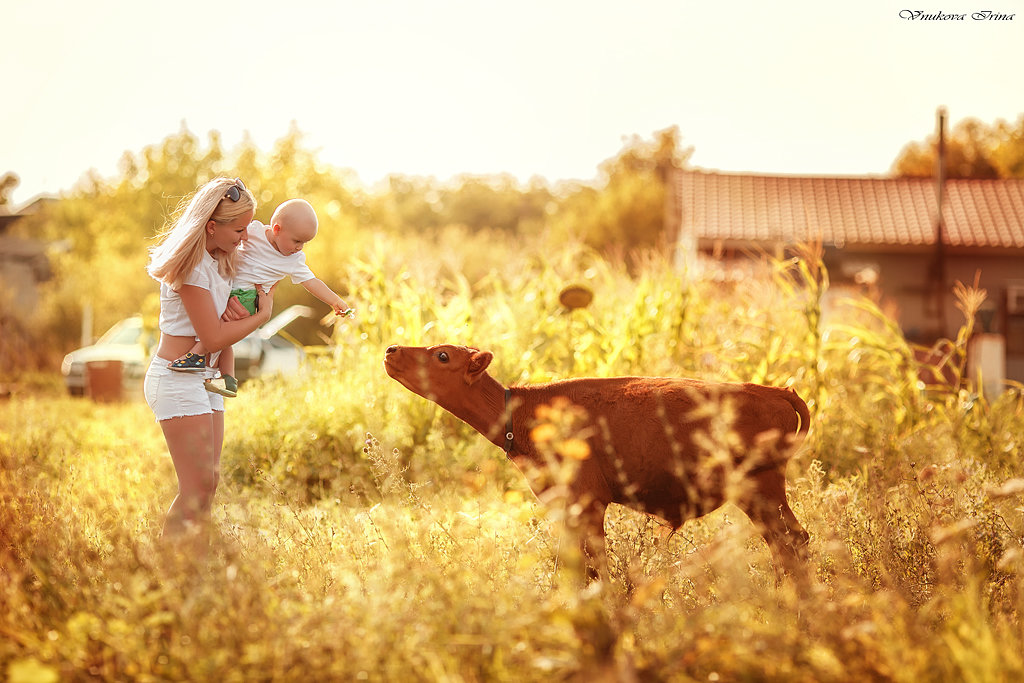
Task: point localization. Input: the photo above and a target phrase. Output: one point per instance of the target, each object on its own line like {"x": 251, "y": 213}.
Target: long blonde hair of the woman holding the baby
{"x": 182, "y": 243}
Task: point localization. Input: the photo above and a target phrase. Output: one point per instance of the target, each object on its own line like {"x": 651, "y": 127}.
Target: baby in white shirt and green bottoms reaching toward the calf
{"x": 270, "y": 253}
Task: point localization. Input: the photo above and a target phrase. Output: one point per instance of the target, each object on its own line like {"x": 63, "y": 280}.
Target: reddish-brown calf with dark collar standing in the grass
{"x": 653, "y": 444}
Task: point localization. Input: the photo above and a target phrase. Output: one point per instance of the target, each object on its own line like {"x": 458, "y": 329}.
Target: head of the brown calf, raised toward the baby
{"x": 444, "y": 374}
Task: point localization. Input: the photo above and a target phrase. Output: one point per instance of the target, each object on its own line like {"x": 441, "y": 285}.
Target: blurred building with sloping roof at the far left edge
{"x": 24, "y": 264}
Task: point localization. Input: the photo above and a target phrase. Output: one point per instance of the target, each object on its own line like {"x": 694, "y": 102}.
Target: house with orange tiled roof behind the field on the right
{"x": 882, "y": 233}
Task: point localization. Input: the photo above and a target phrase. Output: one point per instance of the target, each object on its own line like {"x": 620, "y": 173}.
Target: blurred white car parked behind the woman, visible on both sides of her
{"x": 264, "y": 353}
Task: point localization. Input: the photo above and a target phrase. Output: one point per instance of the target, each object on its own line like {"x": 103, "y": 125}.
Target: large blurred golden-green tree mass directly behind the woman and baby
{"x": 109, "y": 225}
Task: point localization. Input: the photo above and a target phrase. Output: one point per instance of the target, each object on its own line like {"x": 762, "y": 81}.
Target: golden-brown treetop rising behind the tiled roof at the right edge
{"x": 974, "y": 150}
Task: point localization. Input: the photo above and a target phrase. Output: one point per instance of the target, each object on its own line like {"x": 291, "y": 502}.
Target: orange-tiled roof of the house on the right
{"x": 849, "y": 210}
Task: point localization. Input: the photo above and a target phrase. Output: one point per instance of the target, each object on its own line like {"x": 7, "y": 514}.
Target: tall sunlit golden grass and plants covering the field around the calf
{"x": 364, "y": 534}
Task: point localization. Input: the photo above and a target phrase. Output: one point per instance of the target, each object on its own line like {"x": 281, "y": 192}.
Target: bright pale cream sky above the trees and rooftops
{"x": 529, "y": 88}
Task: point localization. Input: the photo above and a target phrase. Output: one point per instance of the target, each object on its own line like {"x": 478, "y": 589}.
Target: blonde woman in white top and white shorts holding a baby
{"x": 194, "y": 261}
